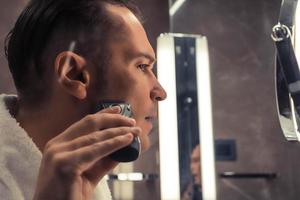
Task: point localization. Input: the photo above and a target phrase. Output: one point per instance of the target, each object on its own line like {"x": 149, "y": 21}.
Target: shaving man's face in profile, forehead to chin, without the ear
{"x": 129, "y": 73}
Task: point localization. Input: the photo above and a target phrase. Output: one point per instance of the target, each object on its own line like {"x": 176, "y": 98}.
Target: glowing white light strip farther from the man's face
{"x": 208, "y": 171}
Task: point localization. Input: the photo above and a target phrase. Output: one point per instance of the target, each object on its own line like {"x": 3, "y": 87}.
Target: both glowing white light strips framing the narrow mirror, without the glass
{"x": 168, "y": 132}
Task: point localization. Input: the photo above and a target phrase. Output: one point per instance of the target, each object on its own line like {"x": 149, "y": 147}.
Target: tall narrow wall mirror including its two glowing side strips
{"x": 185, "y": 118}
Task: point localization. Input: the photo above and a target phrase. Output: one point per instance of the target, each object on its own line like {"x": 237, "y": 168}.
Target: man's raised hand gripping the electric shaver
{"x": 76, "y": 160}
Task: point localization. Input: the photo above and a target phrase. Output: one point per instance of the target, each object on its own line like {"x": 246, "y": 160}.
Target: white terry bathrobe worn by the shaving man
{"x": 20, "y": 161}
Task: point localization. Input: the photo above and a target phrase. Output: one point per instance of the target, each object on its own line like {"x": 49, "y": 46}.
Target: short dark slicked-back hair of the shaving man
{"x": 53, "y": 24}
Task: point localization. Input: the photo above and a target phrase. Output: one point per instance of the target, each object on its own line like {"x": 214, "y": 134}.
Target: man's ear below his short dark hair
{"x": 70, "y": 69}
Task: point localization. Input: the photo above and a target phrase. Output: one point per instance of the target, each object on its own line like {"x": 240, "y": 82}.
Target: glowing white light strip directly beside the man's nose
{"x": 168, "y": 133}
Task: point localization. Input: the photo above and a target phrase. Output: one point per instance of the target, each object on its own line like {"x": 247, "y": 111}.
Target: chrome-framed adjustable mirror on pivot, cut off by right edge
{"x": 287, "y": 73}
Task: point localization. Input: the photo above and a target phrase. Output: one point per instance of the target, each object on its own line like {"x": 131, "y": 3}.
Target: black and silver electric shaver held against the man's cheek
{"x": 132, "y": 151}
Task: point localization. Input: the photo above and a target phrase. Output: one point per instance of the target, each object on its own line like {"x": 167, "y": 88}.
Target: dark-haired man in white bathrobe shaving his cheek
{"x": 59, "y": 87}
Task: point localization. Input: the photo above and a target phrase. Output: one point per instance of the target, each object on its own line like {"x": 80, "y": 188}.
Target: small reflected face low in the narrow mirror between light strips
{"x": 195, "y": 165}
